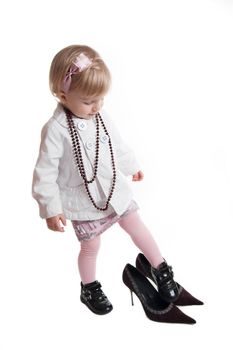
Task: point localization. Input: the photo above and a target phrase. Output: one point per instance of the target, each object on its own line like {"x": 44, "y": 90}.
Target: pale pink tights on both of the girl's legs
{"x": 139, "y": 234}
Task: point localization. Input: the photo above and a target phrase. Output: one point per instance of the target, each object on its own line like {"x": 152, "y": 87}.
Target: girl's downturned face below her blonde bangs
{"x": 82, "y": 106}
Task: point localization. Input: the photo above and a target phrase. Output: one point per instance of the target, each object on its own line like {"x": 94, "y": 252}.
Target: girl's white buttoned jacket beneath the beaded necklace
{"x": 57, "y": 184}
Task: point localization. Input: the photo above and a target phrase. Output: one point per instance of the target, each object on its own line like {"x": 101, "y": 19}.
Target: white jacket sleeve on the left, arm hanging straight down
{"x": 45, "y": 189}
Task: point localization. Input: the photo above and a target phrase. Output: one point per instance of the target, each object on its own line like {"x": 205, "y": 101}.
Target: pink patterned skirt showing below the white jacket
{"x": 86, "y": 230}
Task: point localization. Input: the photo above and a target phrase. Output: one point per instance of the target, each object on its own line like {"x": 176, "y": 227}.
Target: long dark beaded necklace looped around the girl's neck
{"x": 79, "y": 158}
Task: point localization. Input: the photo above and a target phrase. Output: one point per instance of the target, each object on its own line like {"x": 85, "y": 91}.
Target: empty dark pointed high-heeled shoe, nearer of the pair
{"x": 156, "y": 309}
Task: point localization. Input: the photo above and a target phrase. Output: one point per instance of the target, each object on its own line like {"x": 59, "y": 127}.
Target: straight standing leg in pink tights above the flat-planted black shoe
{"x": 87, "y": 259}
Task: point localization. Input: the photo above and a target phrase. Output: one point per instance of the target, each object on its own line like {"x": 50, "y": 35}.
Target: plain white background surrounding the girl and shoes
{"x": 171, "y": 97}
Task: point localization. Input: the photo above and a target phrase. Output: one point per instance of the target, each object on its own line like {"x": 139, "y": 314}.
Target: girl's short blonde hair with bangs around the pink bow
{"x": 94, "y": 80}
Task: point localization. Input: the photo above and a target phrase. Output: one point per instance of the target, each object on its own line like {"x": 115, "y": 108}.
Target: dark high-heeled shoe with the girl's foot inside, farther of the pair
{"x": 183, "y": 298}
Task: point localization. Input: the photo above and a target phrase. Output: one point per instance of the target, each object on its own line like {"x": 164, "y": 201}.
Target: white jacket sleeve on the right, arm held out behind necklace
{"x": 125, "y": 157}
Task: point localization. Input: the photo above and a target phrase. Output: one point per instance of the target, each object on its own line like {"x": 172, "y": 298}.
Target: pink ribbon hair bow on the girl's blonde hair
{"x": 80, "y": 64}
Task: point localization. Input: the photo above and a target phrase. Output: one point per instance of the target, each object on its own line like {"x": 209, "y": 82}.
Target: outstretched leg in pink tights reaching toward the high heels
{"x": 142, "y": 237}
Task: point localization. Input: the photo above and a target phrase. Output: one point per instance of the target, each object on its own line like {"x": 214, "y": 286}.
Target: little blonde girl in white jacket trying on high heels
{"x": 81, "y": 172}
